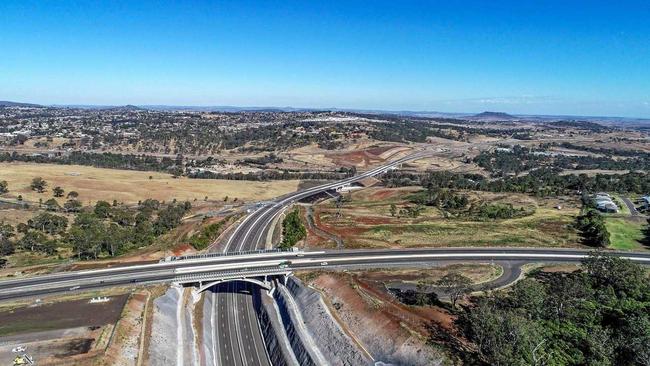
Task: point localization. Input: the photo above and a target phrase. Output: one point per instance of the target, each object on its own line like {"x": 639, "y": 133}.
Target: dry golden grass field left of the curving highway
{"x": 128, "y": 186}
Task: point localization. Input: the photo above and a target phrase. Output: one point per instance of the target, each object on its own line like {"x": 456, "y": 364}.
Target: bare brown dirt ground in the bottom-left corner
{"x": 69, "y": 332}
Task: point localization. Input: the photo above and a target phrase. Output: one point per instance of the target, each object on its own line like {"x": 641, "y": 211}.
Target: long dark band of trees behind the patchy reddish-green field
{"x": 539, "y": 182}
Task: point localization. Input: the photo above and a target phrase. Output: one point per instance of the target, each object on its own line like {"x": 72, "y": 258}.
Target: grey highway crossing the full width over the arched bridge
{"x": 255, "y": 265}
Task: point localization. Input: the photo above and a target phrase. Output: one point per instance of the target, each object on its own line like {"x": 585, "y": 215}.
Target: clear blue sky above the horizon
{"x": 545, "y": 57}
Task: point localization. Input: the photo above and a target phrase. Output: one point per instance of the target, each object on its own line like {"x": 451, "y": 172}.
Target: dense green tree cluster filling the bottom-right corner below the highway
{"x": 599, "y": 315}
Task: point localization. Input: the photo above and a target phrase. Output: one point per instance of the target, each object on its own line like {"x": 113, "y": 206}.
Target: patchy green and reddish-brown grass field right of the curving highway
{"x": 365, "y": 222}
